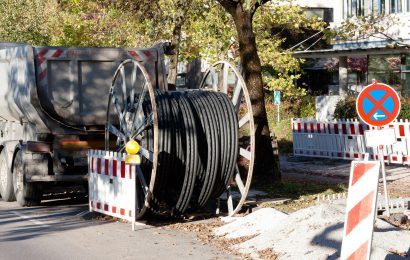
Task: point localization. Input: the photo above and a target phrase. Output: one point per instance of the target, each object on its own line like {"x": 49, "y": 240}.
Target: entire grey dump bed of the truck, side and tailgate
{"x": 59, "y": 89}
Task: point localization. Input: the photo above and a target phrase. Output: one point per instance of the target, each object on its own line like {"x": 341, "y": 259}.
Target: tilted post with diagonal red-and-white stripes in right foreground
{"x": 360, "y": 210}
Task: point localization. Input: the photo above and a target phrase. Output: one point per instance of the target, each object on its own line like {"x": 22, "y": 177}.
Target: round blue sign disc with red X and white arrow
{"x": 378, "y": 104}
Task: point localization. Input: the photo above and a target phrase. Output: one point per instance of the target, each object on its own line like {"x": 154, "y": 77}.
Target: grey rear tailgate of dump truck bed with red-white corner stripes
{"x": 73, "y": 83}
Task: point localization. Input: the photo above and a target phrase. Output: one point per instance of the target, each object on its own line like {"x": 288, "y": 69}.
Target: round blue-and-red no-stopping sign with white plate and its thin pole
{"x": 379, "y": 105}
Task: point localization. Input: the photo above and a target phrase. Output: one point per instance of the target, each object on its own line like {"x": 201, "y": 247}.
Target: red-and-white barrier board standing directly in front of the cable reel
{"x": 112, "y": 185}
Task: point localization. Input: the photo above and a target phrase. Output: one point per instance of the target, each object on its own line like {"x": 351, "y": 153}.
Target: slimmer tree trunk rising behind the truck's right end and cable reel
{"x": 176, "y": 39}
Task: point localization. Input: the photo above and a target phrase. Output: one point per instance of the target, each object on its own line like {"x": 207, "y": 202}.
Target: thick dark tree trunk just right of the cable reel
{"x": 266, "y": 168}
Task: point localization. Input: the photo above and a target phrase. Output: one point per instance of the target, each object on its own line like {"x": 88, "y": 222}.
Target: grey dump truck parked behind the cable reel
{"x": 53, "y": 103}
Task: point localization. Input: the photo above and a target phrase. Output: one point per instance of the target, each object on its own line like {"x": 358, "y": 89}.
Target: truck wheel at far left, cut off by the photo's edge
{"x": 6, "y": 178}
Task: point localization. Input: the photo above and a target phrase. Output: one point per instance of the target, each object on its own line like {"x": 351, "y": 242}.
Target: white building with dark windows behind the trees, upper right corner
{"x": 349, "y": 65}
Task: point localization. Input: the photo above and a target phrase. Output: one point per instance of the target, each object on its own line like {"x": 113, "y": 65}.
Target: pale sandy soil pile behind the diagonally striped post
{"x": 311, "y": 233}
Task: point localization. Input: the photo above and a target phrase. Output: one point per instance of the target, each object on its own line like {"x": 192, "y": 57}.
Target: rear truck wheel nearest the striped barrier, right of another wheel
{"x": 27, "y": 194}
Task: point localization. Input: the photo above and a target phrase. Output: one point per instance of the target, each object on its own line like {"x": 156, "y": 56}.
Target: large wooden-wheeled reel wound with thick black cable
{"x": 193, "y": 146}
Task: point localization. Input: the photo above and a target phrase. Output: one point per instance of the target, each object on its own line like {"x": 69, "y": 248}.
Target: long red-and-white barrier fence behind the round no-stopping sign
{"x": 344, "y": 139}
